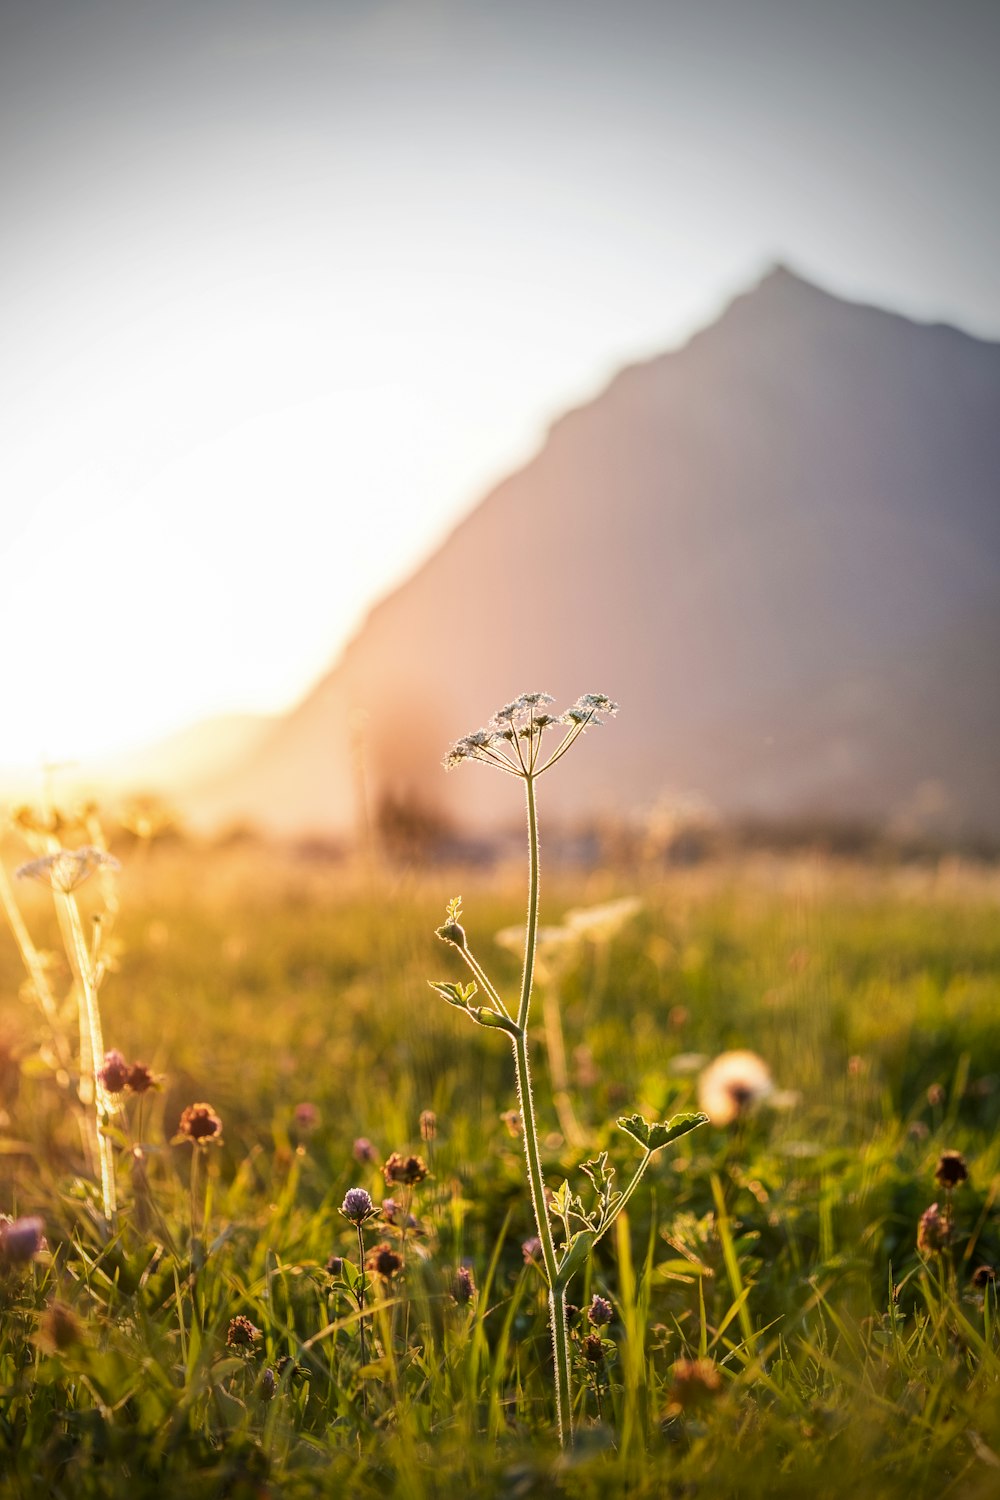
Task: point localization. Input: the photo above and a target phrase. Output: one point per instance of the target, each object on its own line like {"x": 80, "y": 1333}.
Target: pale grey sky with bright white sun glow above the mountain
{"x": 286, "y": 286}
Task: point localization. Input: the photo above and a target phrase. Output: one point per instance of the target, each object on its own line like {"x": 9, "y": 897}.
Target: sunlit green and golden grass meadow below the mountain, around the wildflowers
{"x": 767, "y": 1324}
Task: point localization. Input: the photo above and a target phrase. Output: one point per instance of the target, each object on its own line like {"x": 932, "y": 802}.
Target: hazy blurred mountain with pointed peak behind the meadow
{"x": 779, "y": 548}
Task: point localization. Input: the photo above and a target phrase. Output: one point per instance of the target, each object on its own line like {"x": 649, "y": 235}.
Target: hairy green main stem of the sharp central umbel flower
{"x": 536, "y": 1181}
